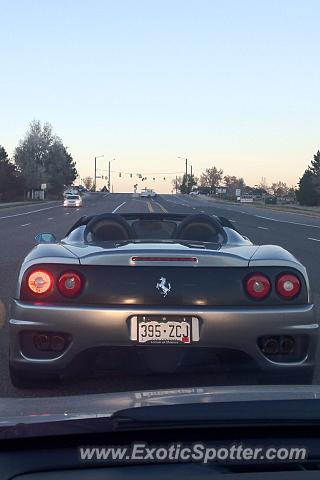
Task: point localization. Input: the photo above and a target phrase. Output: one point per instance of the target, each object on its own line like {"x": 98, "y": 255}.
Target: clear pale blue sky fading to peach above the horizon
{"x": 233, "y": 84}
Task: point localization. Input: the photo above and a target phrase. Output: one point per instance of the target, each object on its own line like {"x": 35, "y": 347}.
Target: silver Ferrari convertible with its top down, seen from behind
{"x": 151, "y": 293}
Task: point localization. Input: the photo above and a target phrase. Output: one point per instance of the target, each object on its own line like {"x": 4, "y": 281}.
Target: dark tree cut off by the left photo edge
{"x": 11, "y": 181}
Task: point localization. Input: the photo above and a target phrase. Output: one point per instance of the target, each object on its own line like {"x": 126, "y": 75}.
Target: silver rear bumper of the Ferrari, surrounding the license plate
{"x": 86, "y": 328}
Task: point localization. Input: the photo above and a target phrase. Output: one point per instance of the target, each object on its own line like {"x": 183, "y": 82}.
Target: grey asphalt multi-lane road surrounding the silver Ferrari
{"x": 298, "y": 233}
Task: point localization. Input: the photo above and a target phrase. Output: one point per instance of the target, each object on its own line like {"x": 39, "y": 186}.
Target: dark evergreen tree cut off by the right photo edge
{"x": 308, "y": 192}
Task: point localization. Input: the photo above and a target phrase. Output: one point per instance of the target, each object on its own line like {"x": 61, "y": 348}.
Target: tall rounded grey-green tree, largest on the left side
{"x": 42, "y": 158}
